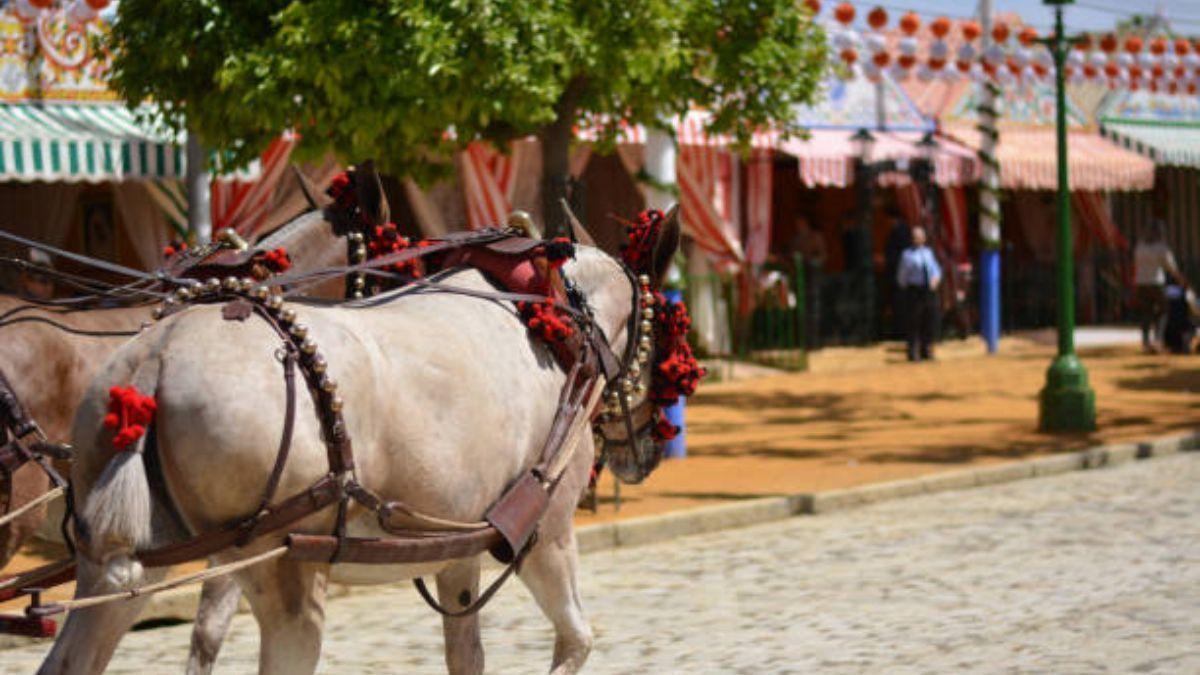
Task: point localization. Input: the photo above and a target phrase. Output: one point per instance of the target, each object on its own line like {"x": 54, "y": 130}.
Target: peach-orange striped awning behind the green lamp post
{"x": 1029, "y": 160}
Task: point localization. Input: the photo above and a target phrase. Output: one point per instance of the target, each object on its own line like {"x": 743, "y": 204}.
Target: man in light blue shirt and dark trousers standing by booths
{"x": 917, "y": 277}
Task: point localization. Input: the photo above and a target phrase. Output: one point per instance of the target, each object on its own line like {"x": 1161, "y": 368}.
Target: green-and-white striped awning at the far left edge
{"x": 82, "y": 144}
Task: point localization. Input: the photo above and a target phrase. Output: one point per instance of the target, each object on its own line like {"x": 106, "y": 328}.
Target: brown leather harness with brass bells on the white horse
{"x": 509, "y": 527}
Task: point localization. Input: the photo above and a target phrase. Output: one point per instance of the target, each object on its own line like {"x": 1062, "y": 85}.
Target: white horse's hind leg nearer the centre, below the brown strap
{"x": 289, "y": 601}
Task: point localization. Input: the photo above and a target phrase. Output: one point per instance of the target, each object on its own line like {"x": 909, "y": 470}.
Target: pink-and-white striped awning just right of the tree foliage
{"x": 827, "y": 158}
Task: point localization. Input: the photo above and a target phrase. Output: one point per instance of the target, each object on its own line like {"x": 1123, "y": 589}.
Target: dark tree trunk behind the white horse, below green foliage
{"x": 556, "y": 162}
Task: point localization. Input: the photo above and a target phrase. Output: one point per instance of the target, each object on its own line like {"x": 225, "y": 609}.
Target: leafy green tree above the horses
{"x": 407, "y": 82}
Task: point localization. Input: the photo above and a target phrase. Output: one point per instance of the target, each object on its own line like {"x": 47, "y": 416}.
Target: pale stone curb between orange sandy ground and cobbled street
{"x": 181, "y": 604}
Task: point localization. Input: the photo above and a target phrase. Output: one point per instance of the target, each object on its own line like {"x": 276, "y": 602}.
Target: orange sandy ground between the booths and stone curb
{"x": 865, "y": 415}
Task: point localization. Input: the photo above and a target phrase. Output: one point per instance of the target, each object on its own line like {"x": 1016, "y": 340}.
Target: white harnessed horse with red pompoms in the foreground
{"x": 447, "y": 399}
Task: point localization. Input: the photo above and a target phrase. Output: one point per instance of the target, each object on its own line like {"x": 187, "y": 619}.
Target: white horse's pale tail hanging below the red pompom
{"x": 118, "y": 510}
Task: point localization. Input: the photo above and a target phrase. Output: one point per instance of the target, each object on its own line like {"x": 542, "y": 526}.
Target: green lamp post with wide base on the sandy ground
{"x": 1067, "y": 402}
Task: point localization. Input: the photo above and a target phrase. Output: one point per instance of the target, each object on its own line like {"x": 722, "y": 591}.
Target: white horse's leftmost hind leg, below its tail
{"x": 91, "y": 636}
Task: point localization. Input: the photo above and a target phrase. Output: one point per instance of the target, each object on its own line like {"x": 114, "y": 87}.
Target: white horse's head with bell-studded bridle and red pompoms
{"x": 625, "y": 297}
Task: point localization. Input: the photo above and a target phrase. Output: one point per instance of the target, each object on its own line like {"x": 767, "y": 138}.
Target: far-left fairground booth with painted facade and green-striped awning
{"x": 81, "y": 171}
